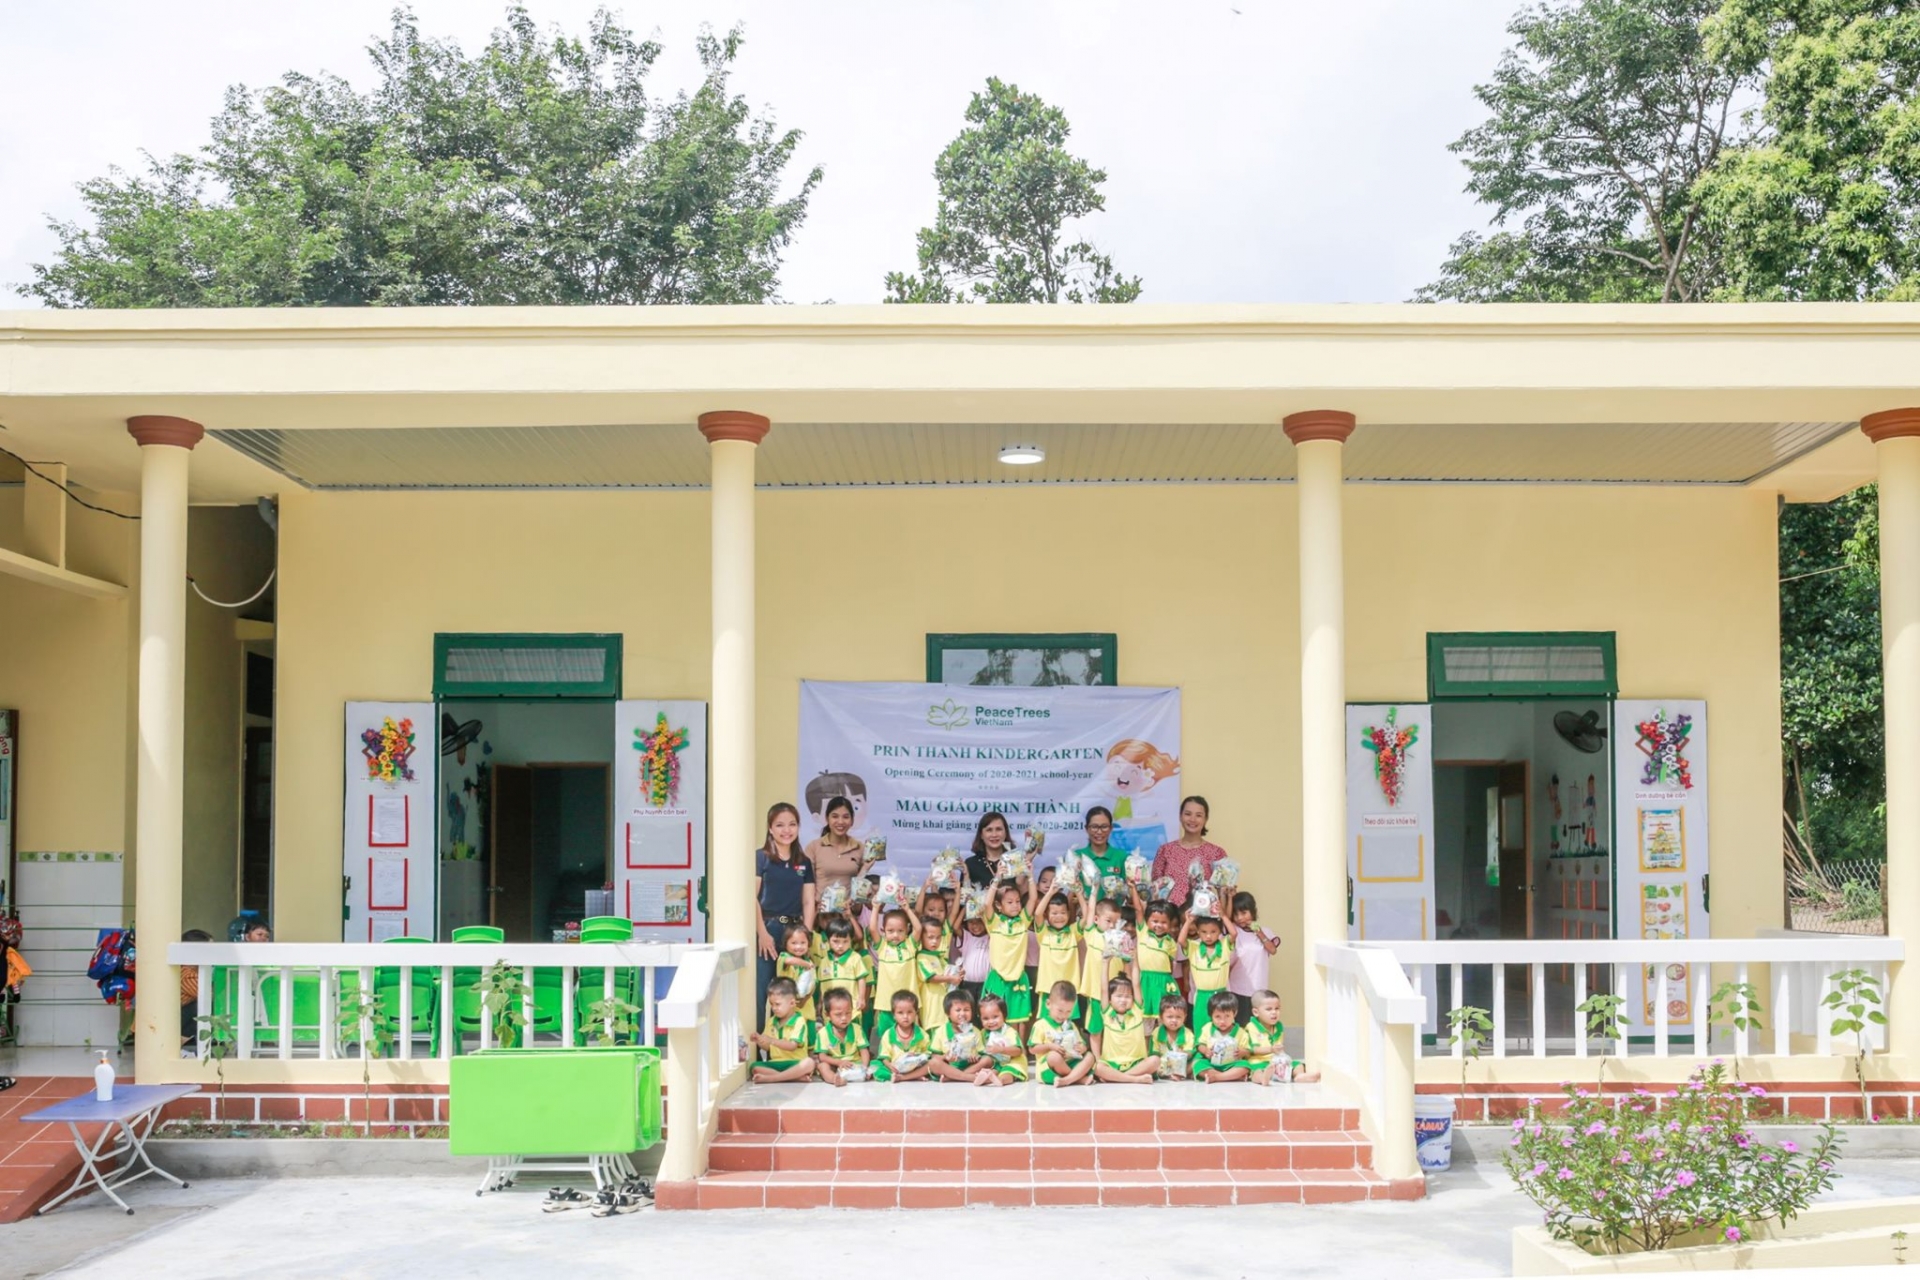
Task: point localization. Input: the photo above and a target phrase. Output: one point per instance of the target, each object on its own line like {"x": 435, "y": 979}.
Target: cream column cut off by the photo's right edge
{"x": 1896, "y": 439}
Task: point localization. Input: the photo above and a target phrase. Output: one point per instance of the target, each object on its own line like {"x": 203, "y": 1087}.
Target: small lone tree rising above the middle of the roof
{"x": 1009, "y": 191}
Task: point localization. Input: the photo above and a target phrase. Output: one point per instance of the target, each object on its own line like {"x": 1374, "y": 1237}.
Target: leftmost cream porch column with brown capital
{"x": 166, "y": 446}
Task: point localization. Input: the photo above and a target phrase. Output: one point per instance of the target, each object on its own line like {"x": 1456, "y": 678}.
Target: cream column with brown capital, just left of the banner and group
{"x": 734, "y": 439}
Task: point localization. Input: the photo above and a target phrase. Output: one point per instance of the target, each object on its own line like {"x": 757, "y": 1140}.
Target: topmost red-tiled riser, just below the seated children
{"x": 798, "y": 1122}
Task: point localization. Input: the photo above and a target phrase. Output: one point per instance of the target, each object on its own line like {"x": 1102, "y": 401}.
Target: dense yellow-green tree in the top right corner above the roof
{"x": 1825, "y": 204}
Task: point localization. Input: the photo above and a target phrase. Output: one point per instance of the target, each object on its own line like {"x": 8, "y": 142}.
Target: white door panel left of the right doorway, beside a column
{"x": 1391, "y": 820}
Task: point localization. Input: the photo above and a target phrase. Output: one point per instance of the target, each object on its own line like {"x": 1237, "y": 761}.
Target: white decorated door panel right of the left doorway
{"x": 660, "y": 824}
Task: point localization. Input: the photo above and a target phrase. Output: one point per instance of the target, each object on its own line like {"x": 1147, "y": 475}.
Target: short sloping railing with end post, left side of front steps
{"x": 706, "y": 1053}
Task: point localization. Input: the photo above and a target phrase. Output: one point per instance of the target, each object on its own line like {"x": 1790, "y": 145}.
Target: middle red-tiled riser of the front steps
{"x": 1038, "y": 1152}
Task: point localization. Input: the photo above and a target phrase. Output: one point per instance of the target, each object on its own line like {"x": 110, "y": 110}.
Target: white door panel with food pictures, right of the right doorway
{"x": 1660, "y": 769}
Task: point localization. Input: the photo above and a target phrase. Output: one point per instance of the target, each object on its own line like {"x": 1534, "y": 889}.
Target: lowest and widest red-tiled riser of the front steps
{"x": 951, "y": 1191}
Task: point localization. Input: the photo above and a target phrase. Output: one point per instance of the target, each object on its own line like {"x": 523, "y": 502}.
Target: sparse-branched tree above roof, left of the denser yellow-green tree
{"x": 1602, "y": 120}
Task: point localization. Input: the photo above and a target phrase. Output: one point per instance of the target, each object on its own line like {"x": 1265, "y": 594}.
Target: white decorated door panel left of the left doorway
{"x": 389, "y": 855}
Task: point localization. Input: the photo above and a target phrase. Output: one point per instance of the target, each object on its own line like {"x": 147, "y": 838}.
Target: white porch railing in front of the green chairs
{"x": 283, "y": 999}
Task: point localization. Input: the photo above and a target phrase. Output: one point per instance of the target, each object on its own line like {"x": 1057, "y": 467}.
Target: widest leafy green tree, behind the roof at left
{"x": 537, "y": 172}
